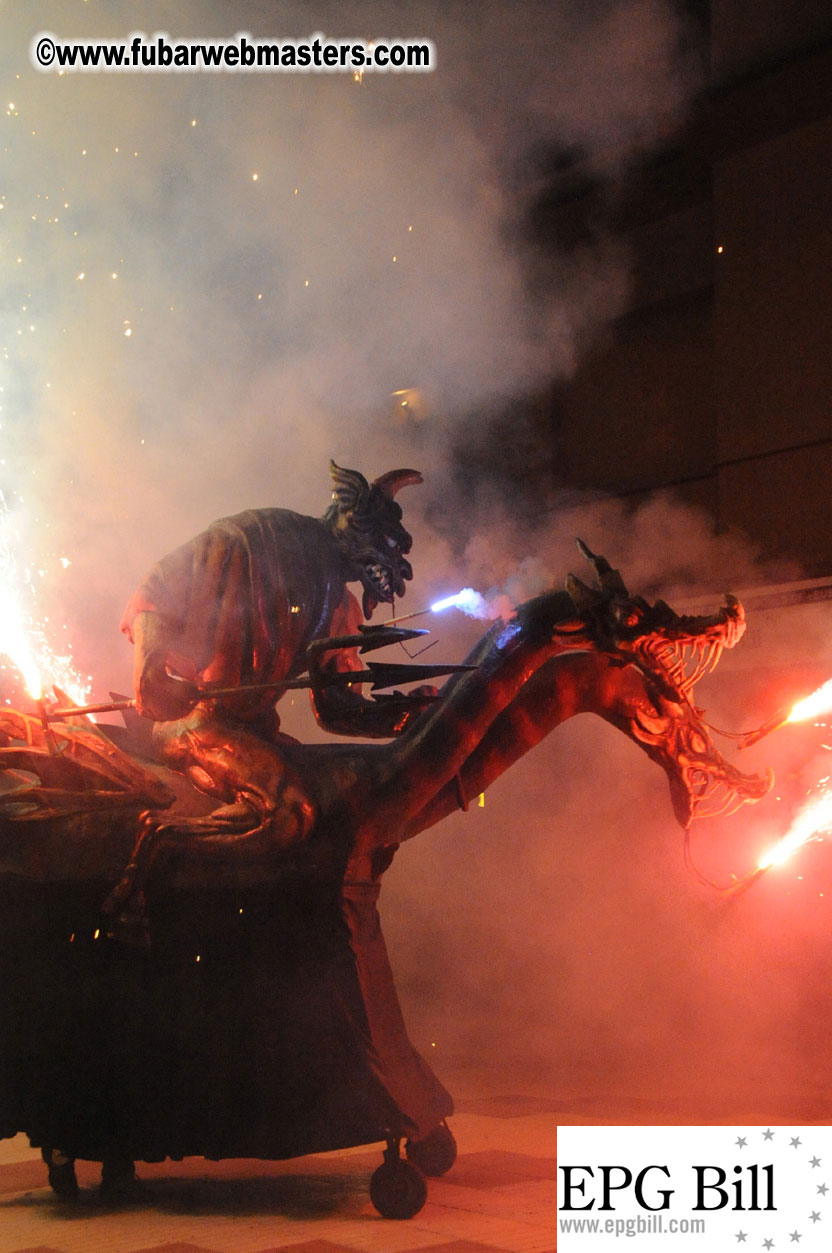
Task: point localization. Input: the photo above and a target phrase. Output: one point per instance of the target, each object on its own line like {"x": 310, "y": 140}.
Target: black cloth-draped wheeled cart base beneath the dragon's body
{"x": 263, "y": 1022}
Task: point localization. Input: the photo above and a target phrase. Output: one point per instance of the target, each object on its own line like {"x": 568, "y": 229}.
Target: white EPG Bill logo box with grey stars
{"x": 696, "y": 1187}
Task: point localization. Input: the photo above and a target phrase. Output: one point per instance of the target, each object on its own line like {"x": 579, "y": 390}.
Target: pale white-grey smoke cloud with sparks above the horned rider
{"x": 184, "y": 341}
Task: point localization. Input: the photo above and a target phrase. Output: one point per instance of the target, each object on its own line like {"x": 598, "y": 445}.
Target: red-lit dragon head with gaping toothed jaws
{"x": 672, "y": 655}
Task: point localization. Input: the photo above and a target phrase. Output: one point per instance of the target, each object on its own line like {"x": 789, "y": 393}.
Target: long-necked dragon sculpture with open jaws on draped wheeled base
{"x": 76, "y": 803}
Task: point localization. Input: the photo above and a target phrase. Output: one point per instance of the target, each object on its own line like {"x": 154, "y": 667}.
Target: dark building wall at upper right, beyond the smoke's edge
{"x": 719, "y": 380}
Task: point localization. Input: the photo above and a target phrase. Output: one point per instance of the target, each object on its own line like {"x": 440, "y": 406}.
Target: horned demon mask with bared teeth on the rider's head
{"x": 367, "y": 524}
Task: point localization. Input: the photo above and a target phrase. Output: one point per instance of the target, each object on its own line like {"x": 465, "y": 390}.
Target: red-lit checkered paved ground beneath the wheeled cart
{"x": 501, "y": 1196}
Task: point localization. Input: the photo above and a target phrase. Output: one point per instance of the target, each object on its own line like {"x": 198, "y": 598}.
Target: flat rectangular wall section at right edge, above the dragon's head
{"x": 774, "y": 341}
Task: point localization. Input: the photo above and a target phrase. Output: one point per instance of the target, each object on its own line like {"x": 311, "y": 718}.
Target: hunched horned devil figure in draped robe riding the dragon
{"x": 239, "y": 606}
